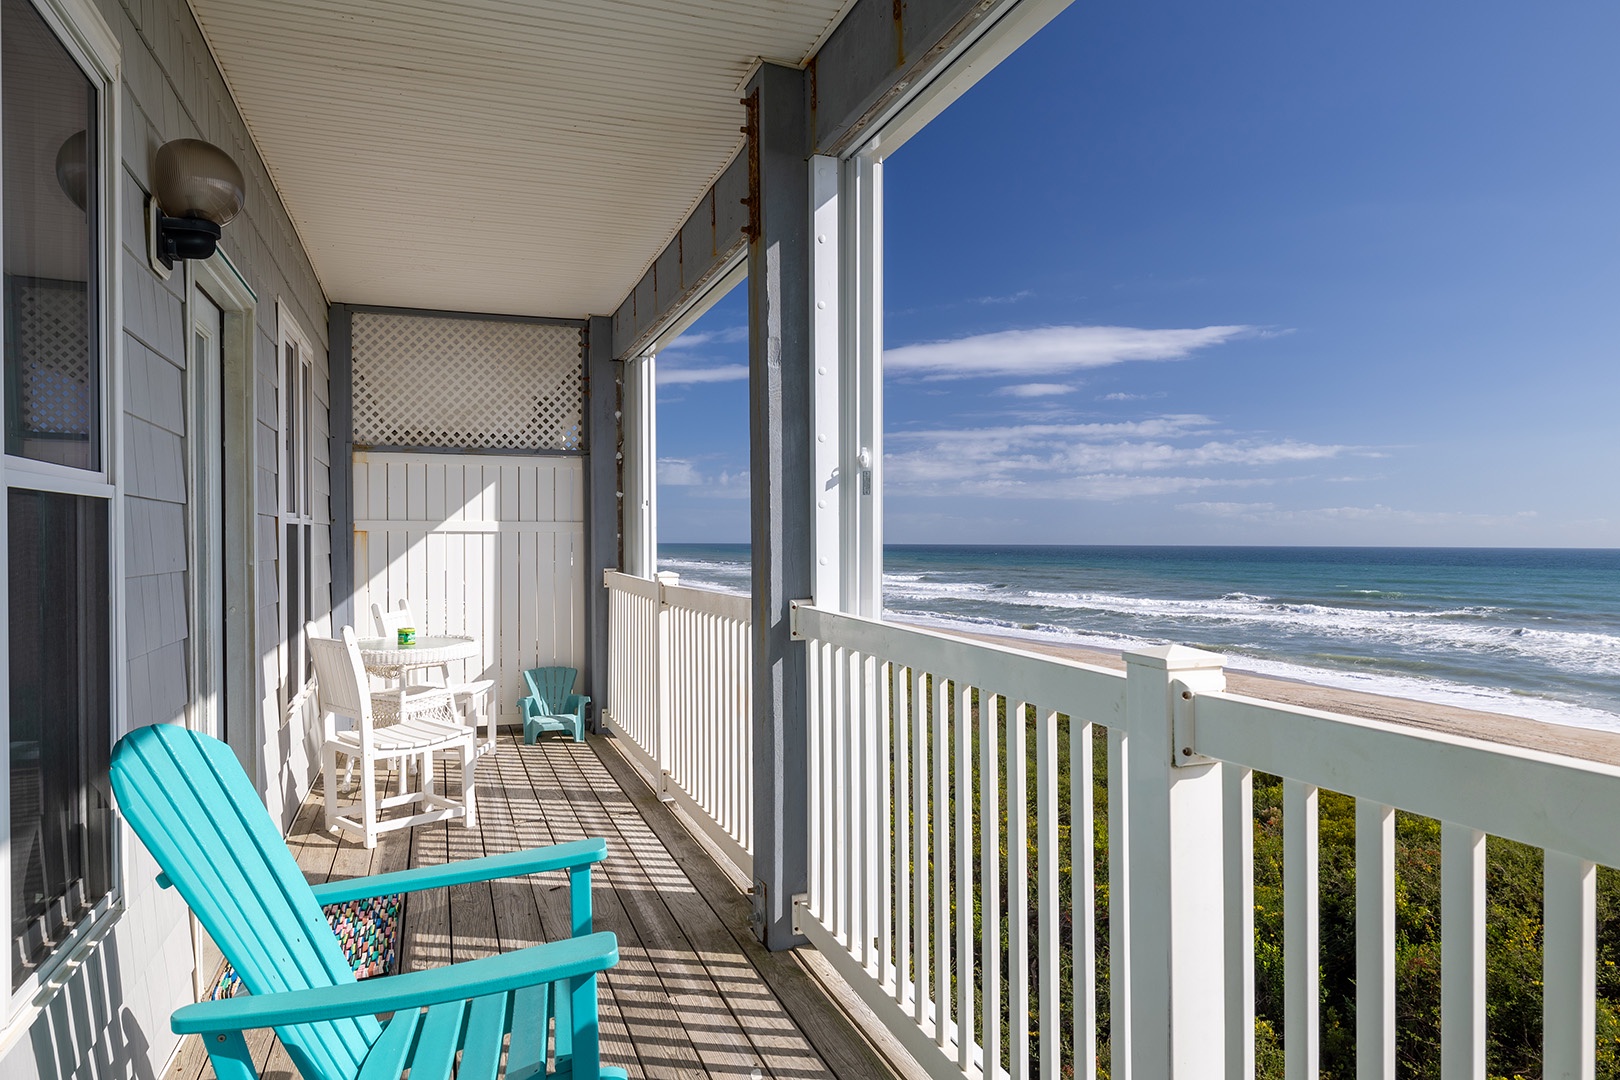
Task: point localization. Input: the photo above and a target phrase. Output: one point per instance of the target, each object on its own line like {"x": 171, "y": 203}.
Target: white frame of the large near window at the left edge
{"x": 82, "y": 32}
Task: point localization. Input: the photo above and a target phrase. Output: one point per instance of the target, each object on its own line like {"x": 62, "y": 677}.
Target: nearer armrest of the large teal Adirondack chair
{"x": 461, "y": 982}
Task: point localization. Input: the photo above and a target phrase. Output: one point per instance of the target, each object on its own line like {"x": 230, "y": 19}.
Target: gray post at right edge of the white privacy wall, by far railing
{"x": 602, "y": 501}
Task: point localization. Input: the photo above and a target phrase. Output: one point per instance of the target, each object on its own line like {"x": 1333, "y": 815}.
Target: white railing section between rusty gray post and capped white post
{"x": 918, "y": 741}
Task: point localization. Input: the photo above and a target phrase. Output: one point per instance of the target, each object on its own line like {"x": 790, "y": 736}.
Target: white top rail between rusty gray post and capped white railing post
{"x": 1080, "y": 691}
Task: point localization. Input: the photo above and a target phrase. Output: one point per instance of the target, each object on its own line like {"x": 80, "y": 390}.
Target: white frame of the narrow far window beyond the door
{"x": 294, "y": 503}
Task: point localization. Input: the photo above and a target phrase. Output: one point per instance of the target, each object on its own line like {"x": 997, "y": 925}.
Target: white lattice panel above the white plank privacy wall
{"x": 472, "y": 385}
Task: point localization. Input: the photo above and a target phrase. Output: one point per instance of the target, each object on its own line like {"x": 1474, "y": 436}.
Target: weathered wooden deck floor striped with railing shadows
{"x": 693, "y": 997}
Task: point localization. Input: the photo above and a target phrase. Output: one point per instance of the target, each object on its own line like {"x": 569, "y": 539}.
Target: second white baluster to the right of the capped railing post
{"x": 1302, "y": 1039}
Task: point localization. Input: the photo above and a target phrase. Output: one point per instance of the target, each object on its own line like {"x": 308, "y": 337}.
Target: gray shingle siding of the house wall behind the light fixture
{"x": 169, "y": 90}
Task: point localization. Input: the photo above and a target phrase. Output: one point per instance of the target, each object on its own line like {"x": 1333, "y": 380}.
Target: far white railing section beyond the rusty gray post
{"x": 680, "y": 676}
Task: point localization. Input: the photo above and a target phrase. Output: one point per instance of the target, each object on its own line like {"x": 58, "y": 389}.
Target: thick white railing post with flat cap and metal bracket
{"x": 1175, "y": 864}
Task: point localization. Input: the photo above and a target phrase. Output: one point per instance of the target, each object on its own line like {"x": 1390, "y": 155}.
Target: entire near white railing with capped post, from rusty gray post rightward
{"x": 934, "y": 825}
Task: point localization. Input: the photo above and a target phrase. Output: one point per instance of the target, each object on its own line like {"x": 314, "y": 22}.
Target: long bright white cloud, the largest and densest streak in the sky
{"x": 1052, "y": 351}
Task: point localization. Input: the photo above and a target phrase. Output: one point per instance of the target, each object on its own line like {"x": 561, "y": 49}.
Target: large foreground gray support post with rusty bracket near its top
{"x": 782, "y": 456}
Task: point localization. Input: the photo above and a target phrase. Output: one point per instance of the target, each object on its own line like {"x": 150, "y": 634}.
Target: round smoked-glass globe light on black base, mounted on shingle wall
{"x": 197, "y": 190}
